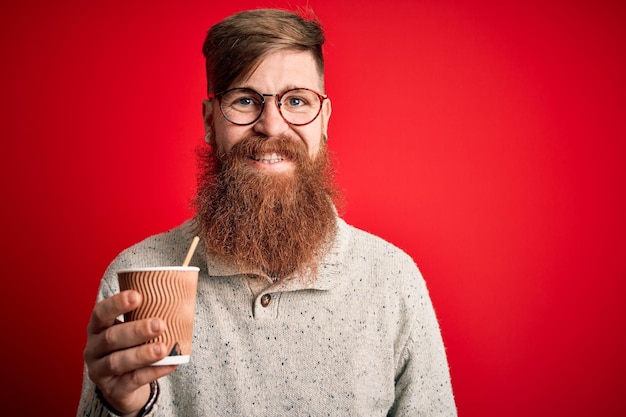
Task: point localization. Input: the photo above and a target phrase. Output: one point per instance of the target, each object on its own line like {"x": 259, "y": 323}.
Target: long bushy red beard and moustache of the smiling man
{"x": 277, "y": 222}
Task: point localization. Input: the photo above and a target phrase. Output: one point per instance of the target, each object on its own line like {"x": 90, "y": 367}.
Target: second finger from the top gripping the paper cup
{"x": 123, "y": 336}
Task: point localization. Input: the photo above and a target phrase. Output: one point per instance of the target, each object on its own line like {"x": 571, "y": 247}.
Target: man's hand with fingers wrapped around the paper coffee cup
{"x": 117, "y": 359}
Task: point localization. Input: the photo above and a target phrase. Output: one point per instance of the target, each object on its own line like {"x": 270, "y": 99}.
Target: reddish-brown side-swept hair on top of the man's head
{"x": 234, "y": 47}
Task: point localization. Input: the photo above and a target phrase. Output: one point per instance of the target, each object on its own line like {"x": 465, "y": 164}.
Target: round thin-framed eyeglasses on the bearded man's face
{"x": 244, "y": 106}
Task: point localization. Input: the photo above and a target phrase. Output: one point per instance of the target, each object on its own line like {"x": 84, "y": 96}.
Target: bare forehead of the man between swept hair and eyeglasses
{"x": 280, "y": 70}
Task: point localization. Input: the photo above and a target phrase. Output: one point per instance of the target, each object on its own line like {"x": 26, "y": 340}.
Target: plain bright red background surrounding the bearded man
{"x": 487, "y": 139}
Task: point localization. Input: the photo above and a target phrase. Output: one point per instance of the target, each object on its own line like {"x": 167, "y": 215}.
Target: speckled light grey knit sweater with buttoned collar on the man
{"x": 358, "y": 339}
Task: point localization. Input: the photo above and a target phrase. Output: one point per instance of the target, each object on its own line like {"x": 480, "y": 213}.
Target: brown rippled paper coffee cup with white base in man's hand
{"x": 169, "y": 292}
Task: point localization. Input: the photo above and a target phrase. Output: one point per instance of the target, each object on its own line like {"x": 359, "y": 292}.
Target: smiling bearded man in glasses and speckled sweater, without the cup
{"x": 297, "y": 312}
